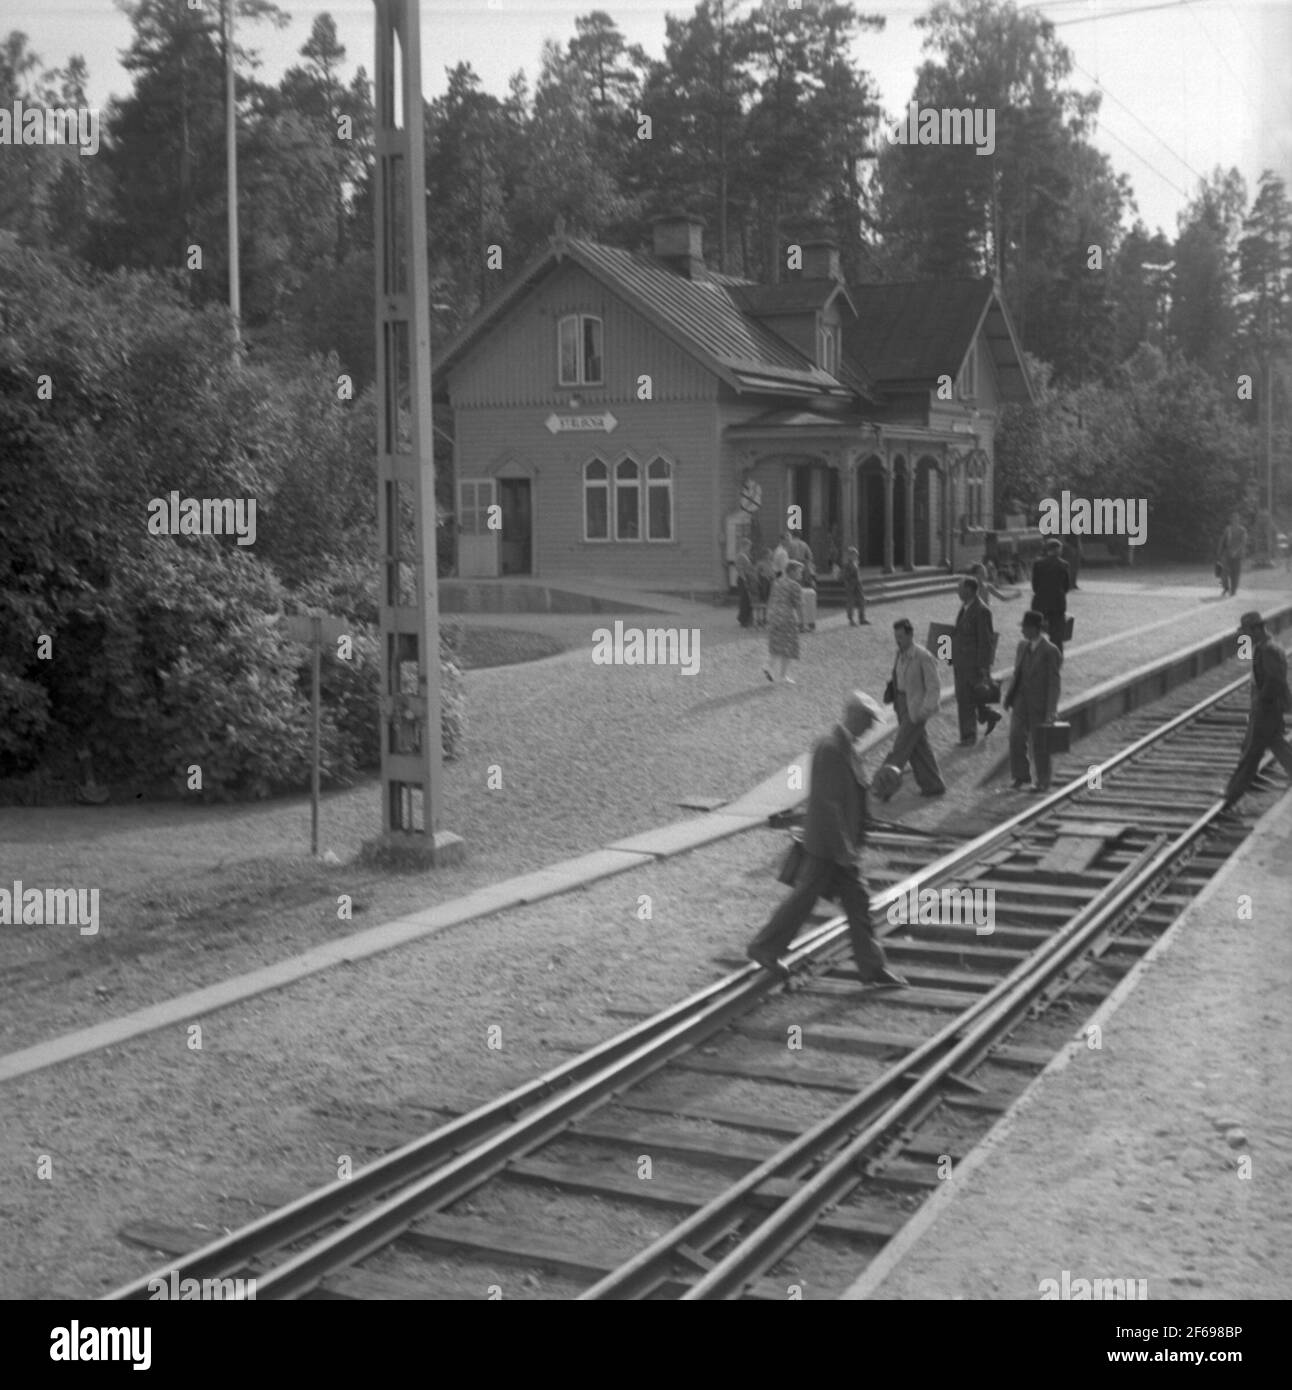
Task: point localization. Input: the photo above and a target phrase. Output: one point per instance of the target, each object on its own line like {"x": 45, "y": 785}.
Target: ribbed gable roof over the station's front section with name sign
{"x": 706, "y": 318}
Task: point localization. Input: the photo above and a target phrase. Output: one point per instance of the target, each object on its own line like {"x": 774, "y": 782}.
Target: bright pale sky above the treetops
{"x": 1188, "y": 84}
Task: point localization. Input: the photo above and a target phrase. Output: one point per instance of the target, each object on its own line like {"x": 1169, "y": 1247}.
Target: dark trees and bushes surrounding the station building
{"x": 757, "y": 117}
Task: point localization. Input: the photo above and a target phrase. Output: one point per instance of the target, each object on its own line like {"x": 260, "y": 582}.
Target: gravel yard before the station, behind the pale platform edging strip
{"x": 588, "y": 754}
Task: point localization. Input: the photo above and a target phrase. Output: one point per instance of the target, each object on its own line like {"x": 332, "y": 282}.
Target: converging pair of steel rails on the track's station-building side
{"x": 432, "y": 1170}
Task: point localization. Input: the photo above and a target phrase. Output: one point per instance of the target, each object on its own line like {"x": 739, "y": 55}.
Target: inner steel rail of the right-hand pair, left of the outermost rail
{"x": 703, "y": 1228}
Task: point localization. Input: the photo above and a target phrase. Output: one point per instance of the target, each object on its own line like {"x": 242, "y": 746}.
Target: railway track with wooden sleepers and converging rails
{"x": 766, "y": 1142}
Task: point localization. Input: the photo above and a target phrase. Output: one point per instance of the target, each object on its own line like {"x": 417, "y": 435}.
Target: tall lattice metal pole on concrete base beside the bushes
{"x": 412, "y": 789}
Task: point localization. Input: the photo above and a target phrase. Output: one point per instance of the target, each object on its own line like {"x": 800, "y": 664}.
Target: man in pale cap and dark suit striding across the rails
{"x": 832, "y": 840}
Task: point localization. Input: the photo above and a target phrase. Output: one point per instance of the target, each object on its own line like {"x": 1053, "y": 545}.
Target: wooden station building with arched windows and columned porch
{"x": 633, "y": 416}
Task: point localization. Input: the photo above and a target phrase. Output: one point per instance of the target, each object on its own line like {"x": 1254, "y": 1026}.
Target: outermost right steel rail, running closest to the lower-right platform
{"x": 795, "y": 1218}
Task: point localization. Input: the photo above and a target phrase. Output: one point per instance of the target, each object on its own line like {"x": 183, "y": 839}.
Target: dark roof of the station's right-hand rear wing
{"x": 913, "y": 333}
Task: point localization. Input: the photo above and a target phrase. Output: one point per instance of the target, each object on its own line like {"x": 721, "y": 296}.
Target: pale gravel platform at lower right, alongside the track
{"x": 1166, "y": 1156}
